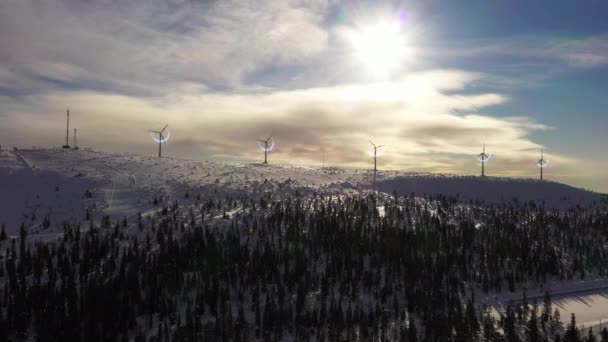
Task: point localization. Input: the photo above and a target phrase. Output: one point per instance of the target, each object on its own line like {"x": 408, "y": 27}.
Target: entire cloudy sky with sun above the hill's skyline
{"x": 431, "y": 80}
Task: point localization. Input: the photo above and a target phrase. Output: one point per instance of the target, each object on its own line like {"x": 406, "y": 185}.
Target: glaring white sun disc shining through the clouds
{"x": 380, "y": 47}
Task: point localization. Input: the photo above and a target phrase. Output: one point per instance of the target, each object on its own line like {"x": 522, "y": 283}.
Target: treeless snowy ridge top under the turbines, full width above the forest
{"x": 64, "y": 184}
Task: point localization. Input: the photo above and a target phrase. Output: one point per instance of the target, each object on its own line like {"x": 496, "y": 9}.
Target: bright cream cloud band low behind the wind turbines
{"x": 424, "y": 120}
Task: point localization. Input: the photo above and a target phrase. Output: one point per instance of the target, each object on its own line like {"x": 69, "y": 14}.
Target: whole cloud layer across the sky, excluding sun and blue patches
{"x": 224, "y": 72}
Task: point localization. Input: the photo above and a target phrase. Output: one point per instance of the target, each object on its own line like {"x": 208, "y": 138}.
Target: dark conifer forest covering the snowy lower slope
{"x": 324, "y": 267}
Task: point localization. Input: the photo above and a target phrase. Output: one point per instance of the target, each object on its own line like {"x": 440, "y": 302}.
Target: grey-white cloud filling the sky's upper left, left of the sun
{"x": 146, "y": 48}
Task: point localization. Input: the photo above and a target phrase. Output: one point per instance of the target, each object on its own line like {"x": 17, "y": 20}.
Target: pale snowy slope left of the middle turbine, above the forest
{"x": 66, "y": 182}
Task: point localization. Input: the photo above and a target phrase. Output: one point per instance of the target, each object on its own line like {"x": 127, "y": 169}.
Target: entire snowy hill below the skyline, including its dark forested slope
{"x": 210, "y": 231}
